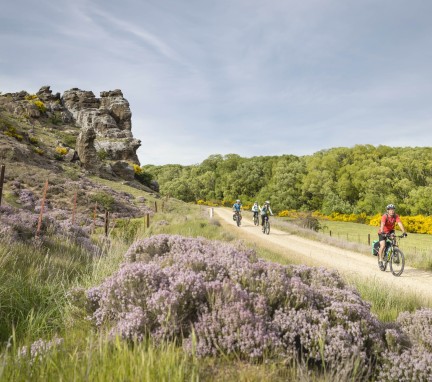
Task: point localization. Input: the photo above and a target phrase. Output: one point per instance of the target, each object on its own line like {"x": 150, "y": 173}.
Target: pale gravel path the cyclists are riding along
{"x": 314, "y": 253}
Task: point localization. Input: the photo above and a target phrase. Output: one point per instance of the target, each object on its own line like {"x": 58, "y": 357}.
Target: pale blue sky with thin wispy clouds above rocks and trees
{"x": 247, "y": 77}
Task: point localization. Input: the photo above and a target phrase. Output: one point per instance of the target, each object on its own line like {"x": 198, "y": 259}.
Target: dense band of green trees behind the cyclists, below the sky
{"x": 363, "y": 178}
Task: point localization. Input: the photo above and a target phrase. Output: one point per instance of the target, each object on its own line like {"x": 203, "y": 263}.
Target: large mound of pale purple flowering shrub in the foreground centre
{"x": 221, "y": 299}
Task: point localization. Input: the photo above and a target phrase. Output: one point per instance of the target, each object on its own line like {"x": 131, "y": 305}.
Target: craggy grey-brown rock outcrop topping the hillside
{"x": 105, "y": 144}
